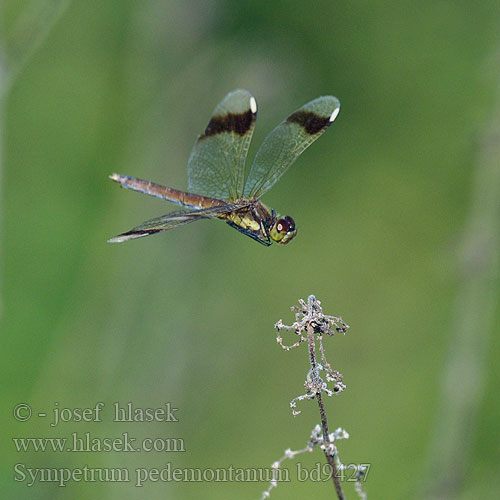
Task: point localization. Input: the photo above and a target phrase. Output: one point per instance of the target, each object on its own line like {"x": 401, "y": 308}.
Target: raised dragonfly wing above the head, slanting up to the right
{"x": 287, "y": 141}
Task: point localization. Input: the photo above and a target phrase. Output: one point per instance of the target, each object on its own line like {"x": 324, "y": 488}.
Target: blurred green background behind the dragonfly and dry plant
{"x": 387, "y": 203}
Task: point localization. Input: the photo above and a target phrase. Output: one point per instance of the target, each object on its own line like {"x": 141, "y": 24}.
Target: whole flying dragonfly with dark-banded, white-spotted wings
{"x": 217, "y": 188}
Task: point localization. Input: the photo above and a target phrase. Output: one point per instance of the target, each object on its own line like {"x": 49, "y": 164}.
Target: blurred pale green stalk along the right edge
{"x": 475, "y": 307}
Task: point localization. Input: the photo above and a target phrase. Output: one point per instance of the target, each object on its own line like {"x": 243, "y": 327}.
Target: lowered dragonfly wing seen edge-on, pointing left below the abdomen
{"x": 174, "y": 219}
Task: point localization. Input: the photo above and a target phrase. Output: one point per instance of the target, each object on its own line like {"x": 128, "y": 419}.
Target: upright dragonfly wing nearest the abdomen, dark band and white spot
{"x": 216, "y": 166}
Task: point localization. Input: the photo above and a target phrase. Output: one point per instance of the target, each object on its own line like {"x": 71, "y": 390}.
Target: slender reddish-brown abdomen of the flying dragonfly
{"x": 166, "y": 193}
